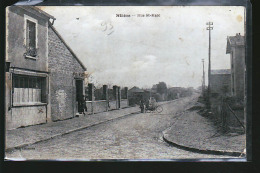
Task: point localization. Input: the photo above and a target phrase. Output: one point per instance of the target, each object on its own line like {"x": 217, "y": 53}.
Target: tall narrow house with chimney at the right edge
{"x": 236, "y": 49}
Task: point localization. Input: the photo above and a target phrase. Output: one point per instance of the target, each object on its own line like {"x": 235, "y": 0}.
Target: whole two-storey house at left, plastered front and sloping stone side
{"x": 44, "y": 77}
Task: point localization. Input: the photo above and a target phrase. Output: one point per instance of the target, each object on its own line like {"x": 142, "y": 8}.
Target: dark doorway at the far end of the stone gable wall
{"x": 79, "y": 95}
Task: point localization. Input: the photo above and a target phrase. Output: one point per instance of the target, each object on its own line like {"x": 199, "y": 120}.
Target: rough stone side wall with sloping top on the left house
{"x": 62, "y": 66}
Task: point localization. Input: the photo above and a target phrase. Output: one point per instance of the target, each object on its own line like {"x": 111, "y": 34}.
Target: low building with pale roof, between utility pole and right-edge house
{"x": 221, "y": 82}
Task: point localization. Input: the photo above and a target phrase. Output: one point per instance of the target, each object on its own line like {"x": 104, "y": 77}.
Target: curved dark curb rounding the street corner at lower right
{"x": 196, "y": 150}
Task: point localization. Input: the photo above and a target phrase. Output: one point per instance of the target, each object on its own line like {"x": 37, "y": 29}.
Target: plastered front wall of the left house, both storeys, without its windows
{"x": 18, "y": 116}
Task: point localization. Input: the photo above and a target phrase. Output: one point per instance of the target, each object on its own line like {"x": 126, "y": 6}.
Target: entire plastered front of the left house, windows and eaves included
{"x": 26, "y": 91}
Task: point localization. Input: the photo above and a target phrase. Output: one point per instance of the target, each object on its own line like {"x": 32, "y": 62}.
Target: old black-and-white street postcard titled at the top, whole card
{"x": 125, "y": 82}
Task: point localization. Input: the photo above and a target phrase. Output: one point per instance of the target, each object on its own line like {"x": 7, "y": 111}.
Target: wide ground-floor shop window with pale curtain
{"x": 28, "y": 89}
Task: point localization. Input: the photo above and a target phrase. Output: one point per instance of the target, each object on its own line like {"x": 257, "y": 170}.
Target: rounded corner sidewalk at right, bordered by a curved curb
{"x": 195, "y": 133}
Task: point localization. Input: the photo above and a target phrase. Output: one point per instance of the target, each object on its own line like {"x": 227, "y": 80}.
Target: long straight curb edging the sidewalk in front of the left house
{"x": 68, "y": 132}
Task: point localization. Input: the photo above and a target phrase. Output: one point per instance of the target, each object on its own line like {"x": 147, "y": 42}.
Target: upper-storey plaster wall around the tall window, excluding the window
{"x": 16, "y": 46}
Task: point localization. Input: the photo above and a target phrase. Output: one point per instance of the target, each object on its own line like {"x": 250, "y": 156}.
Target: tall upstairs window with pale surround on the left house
{"x": 30, "y": 35}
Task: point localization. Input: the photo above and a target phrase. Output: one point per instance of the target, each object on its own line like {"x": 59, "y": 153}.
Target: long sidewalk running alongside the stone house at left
{"x": 22, "y": 137}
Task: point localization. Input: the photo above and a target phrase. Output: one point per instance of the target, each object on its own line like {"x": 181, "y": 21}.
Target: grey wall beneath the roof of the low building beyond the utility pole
{"x": 221, "y": 82}
